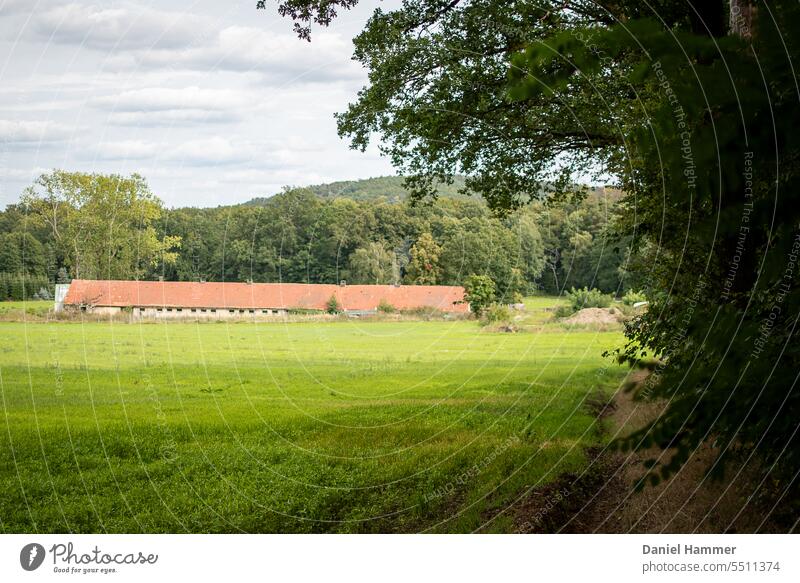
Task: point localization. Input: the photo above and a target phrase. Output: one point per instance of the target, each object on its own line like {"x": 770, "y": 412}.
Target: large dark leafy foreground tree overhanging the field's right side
{"x": 691, "y": 108}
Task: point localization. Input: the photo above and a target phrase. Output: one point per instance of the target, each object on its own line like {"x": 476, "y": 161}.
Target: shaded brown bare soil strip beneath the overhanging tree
{"x": 603, "y": 499}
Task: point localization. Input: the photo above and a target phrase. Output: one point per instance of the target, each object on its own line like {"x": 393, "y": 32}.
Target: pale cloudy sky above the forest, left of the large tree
{"x": 212, "y": 101}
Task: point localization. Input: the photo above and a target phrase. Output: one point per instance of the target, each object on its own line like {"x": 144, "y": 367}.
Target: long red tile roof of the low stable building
{"x": 261, "y": 295}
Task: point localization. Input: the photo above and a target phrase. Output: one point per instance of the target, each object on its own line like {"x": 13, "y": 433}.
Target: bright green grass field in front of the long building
{"x": 344, "y": 426}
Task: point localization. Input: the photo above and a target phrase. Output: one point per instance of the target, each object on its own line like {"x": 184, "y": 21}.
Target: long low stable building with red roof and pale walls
{"x": 215, "y": 300}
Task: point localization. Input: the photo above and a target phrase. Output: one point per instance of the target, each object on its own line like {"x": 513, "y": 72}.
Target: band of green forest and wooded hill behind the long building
{"x": 73, "y": 225}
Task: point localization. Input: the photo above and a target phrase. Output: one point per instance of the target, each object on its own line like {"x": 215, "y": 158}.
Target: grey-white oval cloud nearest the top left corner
{"x": 123, "y": 26}
